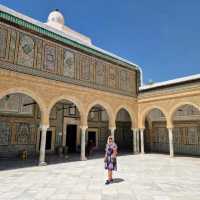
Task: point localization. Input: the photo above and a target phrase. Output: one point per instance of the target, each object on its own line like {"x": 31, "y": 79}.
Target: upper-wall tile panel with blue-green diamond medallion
{"x": 26, "y": 51}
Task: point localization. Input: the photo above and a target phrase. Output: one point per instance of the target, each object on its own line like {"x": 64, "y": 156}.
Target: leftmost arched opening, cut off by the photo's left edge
{"x": 20, "y": 119}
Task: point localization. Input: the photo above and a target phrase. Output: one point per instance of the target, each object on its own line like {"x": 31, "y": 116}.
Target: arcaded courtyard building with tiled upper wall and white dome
{"x": 59, "y": 90}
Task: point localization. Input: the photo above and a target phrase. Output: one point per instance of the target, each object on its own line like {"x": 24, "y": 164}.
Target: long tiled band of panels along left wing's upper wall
{"x": 31, "y": 54}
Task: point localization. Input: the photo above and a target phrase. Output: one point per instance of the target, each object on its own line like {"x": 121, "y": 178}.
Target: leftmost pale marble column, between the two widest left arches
{"x": 43, "y": 144}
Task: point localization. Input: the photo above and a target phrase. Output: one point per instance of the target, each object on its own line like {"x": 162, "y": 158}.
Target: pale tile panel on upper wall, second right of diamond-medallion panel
{"x": 69, "y": 65}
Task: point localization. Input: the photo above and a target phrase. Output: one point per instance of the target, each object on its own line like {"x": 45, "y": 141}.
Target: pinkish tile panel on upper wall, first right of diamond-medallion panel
{"x": 50, "y": 58}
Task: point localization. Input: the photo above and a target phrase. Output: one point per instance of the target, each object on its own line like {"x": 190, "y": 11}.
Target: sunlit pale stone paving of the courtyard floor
{"x": 139, "y": 177}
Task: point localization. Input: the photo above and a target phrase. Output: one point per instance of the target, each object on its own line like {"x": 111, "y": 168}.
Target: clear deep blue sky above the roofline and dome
{"x": 162, "y": 36}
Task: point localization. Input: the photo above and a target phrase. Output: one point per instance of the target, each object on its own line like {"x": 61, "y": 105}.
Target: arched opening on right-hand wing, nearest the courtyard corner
{"x": 156, "y": 138}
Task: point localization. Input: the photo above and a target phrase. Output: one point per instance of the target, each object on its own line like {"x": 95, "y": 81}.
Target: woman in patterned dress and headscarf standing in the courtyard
{"x": 110, "y": 158}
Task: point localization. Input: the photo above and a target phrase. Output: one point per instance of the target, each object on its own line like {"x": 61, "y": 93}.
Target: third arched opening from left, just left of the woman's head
{"x": 98, "y": 129}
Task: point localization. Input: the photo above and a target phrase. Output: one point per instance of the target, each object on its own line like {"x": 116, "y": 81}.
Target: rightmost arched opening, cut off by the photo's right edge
{"x": 186, "y": 130}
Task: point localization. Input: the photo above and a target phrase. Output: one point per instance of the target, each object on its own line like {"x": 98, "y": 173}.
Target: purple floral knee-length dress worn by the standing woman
{"x": 110, "y": 161}
